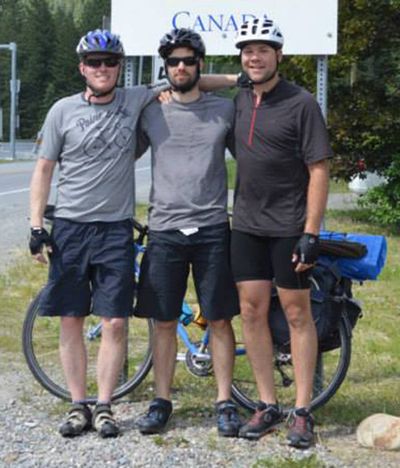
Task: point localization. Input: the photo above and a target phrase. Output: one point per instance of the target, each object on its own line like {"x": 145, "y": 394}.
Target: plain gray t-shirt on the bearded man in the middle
{"x": 188, "y": 142}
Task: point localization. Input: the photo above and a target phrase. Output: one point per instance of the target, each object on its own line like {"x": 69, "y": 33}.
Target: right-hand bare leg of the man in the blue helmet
{"x": 111, "y": 356}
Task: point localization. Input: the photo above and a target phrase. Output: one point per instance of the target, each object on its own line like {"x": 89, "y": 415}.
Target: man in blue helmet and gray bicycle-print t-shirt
{"x": 92, "y": 137}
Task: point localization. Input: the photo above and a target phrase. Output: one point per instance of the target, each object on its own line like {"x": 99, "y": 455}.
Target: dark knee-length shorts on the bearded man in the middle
{"x": 165, "y": 269}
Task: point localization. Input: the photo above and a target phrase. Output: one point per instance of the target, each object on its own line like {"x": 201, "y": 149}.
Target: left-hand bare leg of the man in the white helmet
{"x": 254, "y": 305}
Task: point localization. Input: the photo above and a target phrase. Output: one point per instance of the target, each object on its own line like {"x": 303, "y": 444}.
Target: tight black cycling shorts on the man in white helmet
{"x": 266, "y": 258}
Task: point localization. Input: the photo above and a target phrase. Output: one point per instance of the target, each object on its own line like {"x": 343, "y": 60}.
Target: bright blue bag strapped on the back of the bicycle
{"x": 364, "y": 268}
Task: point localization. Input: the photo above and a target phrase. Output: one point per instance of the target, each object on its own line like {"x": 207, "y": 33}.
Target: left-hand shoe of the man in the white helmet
{"x": 264, "y": 420}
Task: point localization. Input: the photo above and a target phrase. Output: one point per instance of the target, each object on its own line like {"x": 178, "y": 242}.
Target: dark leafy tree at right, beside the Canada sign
{"x": 364, "y": 97}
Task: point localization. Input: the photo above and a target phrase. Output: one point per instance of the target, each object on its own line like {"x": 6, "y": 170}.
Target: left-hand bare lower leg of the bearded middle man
{"x": 164, "y": 357}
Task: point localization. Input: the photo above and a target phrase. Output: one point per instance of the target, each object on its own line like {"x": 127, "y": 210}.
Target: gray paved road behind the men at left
{"x": 14, "y": 203}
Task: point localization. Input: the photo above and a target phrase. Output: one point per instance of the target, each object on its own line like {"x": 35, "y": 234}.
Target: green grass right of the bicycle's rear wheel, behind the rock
{"x": 371, "y": 385}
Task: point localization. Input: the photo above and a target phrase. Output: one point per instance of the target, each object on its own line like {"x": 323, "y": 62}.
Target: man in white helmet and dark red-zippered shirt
{"x": 282, "y": 148}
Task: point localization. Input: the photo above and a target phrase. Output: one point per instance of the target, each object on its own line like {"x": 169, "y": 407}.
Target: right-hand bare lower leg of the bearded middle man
{"x": 222, "y": 351}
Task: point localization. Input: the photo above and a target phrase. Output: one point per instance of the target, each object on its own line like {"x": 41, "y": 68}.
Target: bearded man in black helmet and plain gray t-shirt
{"x": 188, "y": 226}
